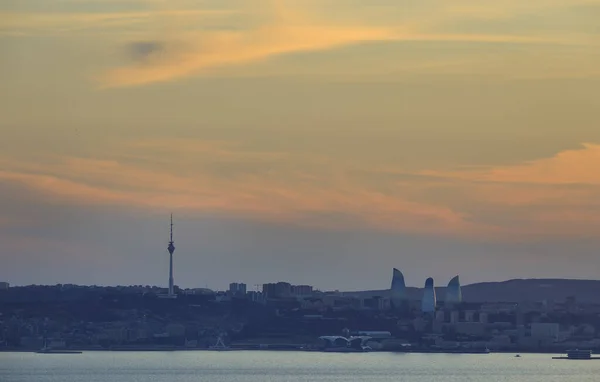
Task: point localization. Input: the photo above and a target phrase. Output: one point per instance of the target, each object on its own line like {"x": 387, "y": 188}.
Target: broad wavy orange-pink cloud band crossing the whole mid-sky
{"x": 217, "y": 177}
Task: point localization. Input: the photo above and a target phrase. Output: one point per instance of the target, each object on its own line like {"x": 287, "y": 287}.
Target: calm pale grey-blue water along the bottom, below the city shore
{"x": 260, "y": 366}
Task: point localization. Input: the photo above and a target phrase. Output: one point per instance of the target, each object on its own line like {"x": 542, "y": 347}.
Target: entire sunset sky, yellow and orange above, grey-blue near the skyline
{"x": 318, "y": 142}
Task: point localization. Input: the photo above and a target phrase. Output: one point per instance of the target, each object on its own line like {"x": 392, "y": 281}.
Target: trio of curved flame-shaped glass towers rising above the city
{"x": 399, "y": 295}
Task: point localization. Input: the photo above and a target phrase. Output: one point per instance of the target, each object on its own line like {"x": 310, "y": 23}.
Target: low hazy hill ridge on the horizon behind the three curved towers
{"x": 518, "y": 290}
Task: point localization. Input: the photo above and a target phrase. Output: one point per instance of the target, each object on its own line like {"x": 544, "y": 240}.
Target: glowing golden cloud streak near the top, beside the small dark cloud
{"x": 291, "y": 30}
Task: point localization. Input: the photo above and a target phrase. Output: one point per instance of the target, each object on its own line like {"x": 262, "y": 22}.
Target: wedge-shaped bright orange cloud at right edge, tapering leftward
{"x": 556, "y": 196}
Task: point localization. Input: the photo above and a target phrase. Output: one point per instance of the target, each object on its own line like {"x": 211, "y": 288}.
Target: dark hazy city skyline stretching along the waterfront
{"x": 282, "y": 315}
